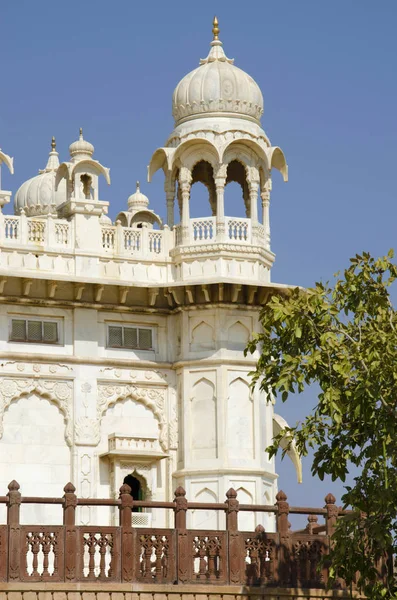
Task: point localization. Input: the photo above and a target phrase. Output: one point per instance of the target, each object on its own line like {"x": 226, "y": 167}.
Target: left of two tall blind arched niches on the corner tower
{"x": 204, "y": 420}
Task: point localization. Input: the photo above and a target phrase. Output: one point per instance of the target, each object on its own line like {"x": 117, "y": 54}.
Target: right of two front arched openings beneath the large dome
{"x": 236, "y": 190}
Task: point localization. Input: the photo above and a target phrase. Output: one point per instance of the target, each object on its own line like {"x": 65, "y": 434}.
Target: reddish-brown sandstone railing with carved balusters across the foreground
{"x": 71, "y": 553}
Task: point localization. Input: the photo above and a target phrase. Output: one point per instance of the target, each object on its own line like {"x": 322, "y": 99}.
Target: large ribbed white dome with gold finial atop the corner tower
{"x": 217, "y": 87}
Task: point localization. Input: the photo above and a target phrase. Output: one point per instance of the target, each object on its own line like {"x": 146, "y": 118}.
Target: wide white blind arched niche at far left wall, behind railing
{"x": 34, "y": 451}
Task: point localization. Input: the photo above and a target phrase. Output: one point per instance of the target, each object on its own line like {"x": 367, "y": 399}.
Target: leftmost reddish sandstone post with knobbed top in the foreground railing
{"x": 14, "y": 548}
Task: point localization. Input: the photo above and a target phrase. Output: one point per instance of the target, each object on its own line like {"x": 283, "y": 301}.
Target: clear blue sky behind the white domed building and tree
{"x": 327, "y": 71}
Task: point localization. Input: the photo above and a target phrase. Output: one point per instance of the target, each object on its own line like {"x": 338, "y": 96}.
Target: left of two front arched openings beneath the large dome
{"x": 200, "y": 195}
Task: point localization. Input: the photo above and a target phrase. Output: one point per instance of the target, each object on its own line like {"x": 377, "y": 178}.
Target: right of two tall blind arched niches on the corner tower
{"x": 240, "y": 420}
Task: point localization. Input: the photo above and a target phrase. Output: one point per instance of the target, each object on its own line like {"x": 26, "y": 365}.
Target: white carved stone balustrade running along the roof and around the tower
{"x": 61, "y": 247}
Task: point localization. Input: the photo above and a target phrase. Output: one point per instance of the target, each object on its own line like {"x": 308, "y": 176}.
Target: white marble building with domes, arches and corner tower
{"x": 121, "y": 344}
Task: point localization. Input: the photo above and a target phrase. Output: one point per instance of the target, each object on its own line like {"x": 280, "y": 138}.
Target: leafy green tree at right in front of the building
{"x": 344, "y": 339}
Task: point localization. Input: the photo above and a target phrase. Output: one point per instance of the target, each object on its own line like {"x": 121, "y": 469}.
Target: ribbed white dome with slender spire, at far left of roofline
{"x": 37, "y": 196}
